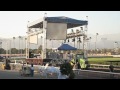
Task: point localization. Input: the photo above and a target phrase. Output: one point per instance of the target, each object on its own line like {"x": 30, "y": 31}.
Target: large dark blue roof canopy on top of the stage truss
{"x": 71, "y": 23}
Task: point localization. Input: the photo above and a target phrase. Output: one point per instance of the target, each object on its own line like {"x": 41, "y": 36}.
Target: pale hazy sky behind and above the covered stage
{"x": 14, "y": 23}
